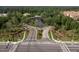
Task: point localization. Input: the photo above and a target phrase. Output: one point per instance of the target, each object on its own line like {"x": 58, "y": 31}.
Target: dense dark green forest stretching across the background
{"x": 52, "y": 16}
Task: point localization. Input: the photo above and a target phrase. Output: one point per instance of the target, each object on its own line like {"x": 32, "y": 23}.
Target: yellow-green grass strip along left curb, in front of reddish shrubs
{"x": 8, "y": 37}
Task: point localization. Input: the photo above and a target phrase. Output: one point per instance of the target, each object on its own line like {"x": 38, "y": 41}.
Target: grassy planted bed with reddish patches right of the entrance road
{"x": 64, "y": 36}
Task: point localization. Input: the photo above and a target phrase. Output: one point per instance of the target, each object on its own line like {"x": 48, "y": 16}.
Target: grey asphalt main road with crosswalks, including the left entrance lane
{"x": 31, "y": 44}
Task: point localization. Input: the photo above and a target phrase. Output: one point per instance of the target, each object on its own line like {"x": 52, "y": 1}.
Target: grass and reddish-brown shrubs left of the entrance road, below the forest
{"x": 14, "y": 35}
